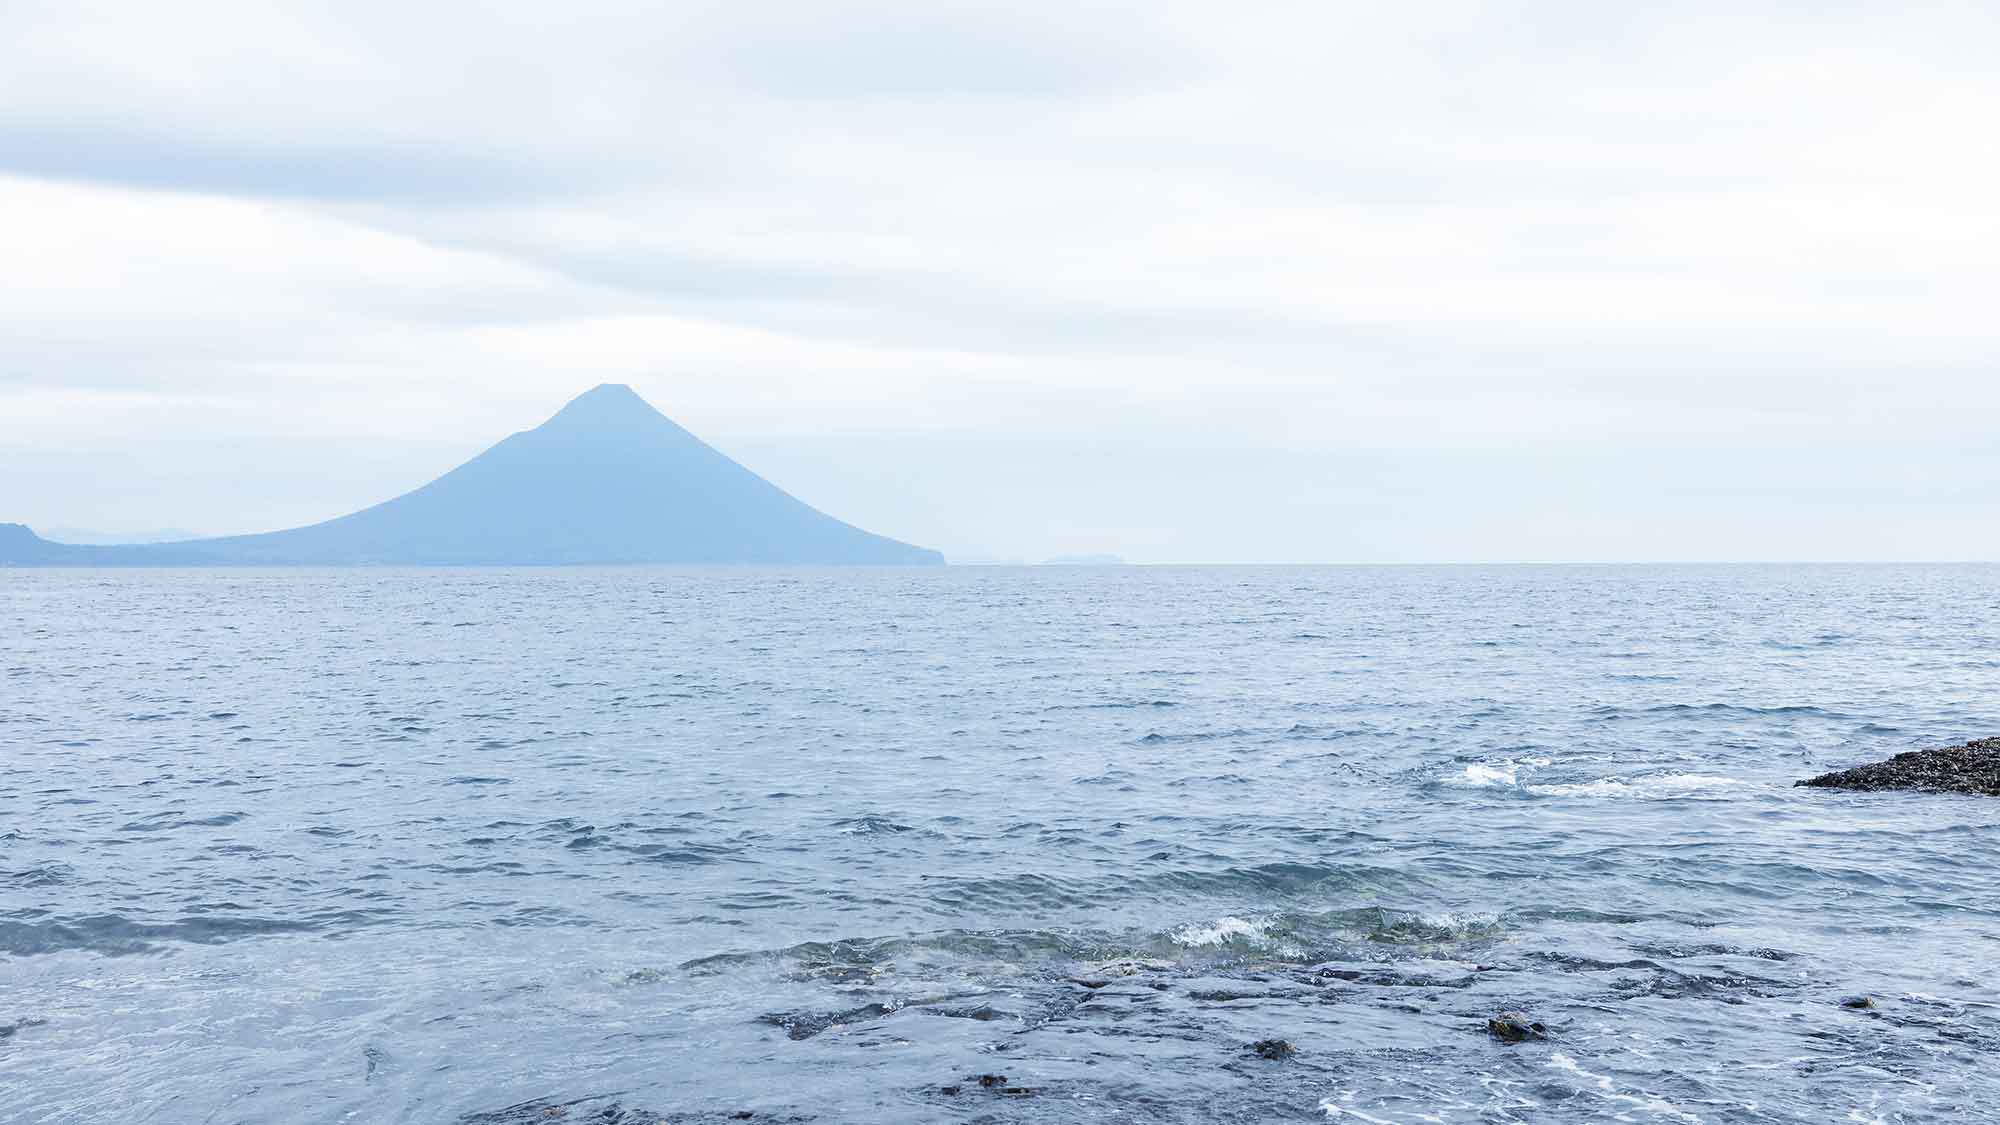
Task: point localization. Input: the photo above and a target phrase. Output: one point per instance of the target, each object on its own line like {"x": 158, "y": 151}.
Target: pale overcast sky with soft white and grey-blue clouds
{"x": 1565, "y": 281}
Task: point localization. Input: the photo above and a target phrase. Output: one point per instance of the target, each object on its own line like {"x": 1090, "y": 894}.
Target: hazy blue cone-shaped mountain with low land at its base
{"x": 609, "y": 479}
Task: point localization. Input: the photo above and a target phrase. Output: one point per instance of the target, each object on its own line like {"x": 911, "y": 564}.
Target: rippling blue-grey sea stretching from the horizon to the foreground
{"x": 829, "y": 846}
